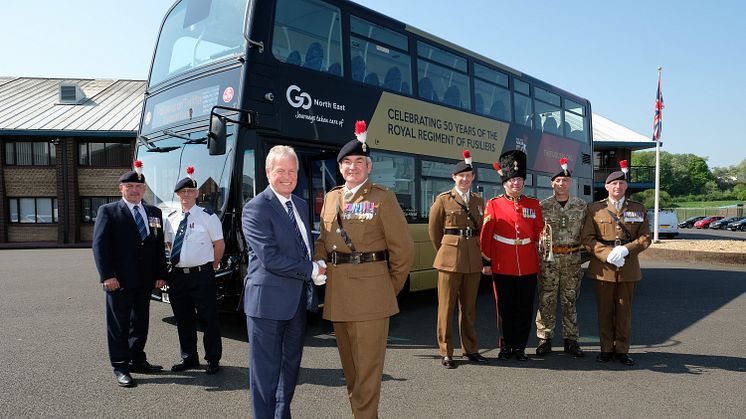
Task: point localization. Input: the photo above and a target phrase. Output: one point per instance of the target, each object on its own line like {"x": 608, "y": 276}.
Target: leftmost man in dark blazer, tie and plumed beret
{"x": 129, "y": 252}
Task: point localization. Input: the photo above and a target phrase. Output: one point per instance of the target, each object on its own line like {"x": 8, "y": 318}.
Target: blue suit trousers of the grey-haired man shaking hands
{"x": 275, "y": 351}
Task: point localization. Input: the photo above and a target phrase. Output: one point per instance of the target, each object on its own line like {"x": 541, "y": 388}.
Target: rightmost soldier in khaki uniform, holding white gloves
{"x": 615, "y": 232}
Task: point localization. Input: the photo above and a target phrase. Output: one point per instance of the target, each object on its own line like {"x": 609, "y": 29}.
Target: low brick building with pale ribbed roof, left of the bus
{"x": 63, "y": 145}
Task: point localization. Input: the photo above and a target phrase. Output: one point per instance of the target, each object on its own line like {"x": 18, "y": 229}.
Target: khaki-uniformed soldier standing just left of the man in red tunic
{"x": 454, "y": 224}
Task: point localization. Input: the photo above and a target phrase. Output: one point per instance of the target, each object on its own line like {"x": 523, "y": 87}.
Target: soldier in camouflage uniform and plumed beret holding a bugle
{"x": 564, "y": 215}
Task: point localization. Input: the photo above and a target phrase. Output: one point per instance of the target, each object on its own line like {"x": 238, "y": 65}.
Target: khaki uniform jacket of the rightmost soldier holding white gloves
{"x": 599, "y": 225}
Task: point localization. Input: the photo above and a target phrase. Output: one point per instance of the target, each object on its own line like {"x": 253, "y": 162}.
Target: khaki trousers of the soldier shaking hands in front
{"x": 362, "y": 350}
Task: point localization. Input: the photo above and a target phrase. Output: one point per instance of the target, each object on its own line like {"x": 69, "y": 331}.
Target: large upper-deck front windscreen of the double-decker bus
{"x": 196, "y": 33}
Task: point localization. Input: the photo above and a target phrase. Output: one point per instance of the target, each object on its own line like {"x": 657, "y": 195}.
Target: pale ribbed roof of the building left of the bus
{"x": 31, "y": 105}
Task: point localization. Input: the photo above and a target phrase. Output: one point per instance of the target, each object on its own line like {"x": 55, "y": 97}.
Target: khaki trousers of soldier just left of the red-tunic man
{"x": 458, "y": 287}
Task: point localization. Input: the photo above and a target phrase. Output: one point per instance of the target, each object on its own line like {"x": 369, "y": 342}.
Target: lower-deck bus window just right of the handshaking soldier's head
{"x": 396, "y": 172}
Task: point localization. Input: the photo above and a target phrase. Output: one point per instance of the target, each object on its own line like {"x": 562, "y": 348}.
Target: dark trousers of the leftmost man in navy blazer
{"x": 127, "y": 316}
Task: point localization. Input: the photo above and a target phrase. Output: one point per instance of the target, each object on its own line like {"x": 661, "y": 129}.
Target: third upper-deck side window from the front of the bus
{"x": 445, "y": 82}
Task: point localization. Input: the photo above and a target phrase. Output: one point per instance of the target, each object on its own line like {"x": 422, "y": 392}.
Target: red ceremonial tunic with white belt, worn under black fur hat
{"x": 510, "y": 235}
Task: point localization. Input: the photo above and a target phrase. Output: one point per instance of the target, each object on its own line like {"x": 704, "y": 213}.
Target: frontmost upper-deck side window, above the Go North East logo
{"x": 308, "y": 33}
